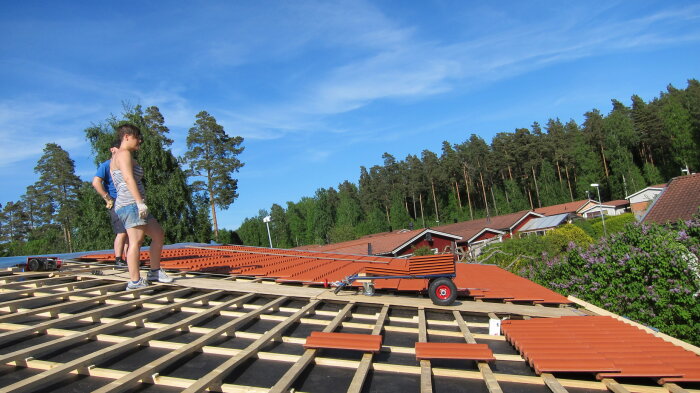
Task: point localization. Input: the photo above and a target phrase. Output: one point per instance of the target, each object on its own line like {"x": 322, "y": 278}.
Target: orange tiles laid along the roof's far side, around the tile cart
{"x": 316, "y": 268}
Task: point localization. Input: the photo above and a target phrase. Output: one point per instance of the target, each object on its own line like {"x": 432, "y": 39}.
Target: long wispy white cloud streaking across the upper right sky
{"x": 397, "y": 63}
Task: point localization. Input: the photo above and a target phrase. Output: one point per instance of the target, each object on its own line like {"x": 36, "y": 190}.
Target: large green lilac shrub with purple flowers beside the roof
{"x": 648, "y": 273}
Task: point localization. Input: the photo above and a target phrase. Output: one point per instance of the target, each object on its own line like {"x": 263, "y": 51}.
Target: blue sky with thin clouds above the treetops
{"x": 319, "y": 88}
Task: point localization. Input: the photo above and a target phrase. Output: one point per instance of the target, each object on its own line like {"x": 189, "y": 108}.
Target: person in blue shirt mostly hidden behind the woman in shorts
{"x": 103, "y": 184}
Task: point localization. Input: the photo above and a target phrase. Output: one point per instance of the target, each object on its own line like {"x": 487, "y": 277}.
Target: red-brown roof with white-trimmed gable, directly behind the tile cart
{"x": 382, "y": 243}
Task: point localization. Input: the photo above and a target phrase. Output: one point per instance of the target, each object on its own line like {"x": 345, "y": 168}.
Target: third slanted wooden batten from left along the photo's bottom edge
{"x": 214, "y": 378}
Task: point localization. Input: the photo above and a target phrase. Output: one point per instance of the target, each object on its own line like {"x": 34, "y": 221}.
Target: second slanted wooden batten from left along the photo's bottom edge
{"x": 141, "y": 374}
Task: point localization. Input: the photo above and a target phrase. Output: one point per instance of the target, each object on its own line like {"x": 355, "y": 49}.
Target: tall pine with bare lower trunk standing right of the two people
{"x": 213, "y": 155}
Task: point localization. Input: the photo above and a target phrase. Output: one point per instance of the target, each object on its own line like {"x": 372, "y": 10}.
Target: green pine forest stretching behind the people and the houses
{"x": 633, "y": 145}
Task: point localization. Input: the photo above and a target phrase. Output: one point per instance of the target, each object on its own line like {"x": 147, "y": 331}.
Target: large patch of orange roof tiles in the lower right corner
{"x": 600, "y": 345}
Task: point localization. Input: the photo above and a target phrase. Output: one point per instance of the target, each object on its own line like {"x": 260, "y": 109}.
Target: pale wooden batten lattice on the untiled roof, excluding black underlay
{"x": 106, "y": 313}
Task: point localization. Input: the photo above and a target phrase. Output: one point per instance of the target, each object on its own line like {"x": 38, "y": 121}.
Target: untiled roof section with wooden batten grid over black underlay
{"x": 82, "y": 332}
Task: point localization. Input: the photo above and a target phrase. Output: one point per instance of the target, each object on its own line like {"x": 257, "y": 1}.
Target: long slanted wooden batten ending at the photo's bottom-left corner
{"x": 51, "y": 376}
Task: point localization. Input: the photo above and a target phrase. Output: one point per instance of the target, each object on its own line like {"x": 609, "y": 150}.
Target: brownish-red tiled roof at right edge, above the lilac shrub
{"x": 679, "y": 201}
